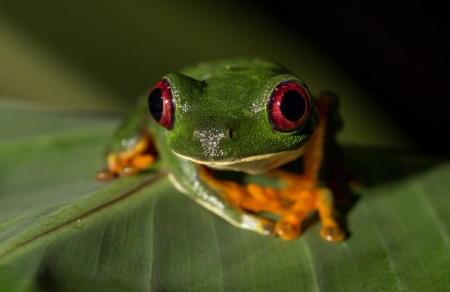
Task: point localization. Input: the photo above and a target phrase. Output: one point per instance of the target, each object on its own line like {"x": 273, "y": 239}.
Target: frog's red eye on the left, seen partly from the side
{"x": 160, "y": 104}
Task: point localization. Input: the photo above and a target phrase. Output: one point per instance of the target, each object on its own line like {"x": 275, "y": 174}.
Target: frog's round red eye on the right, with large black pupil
{"x": 288, "y": 106}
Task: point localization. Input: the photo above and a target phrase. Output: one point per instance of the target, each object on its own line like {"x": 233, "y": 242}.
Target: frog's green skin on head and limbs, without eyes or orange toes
{"x": 220, "y": 121}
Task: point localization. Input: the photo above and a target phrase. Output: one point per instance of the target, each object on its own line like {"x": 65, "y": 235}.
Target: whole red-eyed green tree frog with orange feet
{"x": 243, "y": 115}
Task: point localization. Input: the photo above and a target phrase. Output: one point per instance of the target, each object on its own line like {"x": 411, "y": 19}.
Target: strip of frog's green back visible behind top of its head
{"x": 206, "y": 70}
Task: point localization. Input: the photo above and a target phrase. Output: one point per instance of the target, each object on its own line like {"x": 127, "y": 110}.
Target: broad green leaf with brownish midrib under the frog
{"x": 60, "y": 230}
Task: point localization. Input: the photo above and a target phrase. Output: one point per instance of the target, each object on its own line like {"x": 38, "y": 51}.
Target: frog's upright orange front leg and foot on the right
{"x": 306, "y": 189}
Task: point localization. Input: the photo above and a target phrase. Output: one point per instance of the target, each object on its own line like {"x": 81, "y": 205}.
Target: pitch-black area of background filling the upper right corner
{"x": 399, "y": 50}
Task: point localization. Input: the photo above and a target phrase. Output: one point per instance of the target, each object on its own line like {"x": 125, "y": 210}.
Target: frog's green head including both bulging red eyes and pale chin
{"x": 248, "y": 119}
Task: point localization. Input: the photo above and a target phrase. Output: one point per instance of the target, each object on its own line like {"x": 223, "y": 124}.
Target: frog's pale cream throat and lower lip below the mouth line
{"x": 253, "y": 164}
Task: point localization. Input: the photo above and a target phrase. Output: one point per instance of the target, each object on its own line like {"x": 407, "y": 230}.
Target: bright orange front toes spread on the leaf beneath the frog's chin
{"x": 294, "y": 201}
